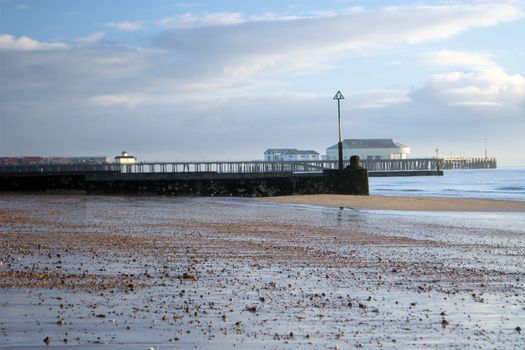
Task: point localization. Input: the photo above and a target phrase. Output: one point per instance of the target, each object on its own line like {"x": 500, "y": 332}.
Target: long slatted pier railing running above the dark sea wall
{"x": 254, "y": 166}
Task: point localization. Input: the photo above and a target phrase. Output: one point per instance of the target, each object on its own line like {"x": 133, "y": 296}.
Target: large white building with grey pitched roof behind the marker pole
{"x": 370, "y": 149}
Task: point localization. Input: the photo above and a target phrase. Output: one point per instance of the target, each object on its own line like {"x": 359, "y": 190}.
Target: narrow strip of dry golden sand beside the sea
{"x": 403, "y": 203}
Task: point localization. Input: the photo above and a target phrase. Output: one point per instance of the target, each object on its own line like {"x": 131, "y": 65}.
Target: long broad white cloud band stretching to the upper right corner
{"x": 251, "y": 48}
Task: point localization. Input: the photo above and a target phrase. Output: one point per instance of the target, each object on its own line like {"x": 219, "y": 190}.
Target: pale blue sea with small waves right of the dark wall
{"x": 502, "y": 183}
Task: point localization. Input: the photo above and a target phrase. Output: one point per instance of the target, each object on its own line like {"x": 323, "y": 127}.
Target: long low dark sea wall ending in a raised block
{"x": 348, "y": 181}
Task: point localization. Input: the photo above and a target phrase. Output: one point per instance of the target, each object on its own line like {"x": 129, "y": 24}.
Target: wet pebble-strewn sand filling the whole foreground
{"x": 134, "y": 273}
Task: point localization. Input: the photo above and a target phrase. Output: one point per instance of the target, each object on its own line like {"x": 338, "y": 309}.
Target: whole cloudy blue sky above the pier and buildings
{"x": 225, "y": 80}
